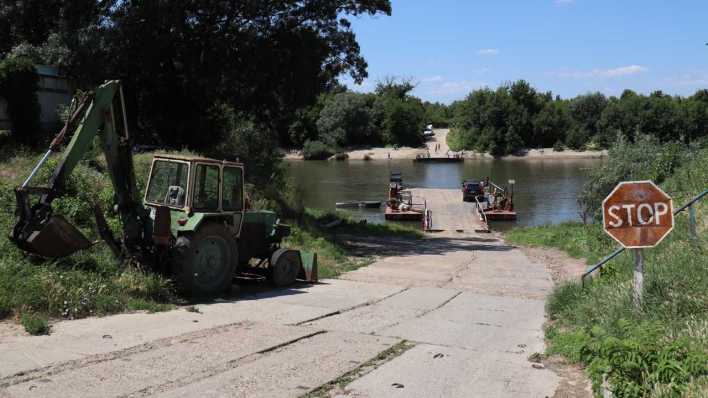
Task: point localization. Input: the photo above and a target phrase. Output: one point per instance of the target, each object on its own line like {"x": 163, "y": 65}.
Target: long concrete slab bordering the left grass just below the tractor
{"x": 73, "y": 340}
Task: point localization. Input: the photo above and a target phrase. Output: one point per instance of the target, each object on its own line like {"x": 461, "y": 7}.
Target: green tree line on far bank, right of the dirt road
{"x": 516, "y": 116}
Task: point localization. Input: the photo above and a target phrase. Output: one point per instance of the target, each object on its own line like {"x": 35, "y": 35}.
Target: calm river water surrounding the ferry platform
{"x": 545, "y": 191}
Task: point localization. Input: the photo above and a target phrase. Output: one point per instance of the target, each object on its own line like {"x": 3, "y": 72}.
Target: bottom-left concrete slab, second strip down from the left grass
{"x": 141, "y": 370}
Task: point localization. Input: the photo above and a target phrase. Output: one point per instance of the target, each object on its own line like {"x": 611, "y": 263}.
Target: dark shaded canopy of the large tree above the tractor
{"x": 180, "y": 58}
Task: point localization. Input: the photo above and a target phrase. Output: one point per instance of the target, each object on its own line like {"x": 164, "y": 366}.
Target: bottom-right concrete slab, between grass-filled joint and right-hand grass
{"x": 435, "y": 371}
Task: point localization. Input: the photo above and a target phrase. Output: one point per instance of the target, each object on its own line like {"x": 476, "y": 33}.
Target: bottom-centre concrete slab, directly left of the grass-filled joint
{"x": 290, "y": 371}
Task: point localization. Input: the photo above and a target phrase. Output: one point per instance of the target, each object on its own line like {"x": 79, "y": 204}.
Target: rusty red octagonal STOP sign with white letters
{"x": 637, "y": 214}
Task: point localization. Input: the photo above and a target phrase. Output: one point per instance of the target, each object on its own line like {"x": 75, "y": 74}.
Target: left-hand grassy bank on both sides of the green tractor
{"x": 92, "y": 282}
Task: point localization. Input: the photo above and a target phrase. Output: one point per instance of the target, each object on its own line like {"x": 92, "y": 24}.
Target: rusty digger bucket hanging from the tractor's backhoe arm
{"x": 56, "y": 238}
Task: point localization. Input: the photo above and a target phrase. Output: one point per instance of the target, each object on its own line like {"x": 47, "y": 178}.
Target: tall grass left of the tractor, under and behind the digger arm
{"x": 91, "y": 282}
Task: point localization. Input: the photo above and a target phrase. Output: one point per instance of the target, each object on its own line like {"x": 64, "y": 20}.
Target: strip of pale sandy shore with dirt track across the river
{"x": 439, "y": 141}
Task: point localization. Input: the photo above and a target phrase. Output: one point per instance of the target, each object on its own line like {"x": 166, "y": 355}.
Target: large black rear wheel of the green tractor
{"x": 206, "y": 260}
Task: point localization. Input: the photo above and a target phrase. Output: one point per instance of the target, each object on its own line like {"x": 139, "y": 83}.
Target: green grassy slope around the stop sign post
{"x": 659, "y": 351}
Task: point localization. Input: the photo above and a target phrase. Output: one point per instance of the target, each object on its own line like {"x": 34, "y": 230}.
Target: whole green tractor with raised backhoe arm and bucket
{"x": 192, "y": 223}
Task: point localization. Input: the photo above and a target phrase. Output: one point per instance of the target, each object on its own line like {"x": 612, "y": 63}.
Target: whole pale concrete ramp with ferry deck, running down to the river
{"x": 452, "y": 315}
